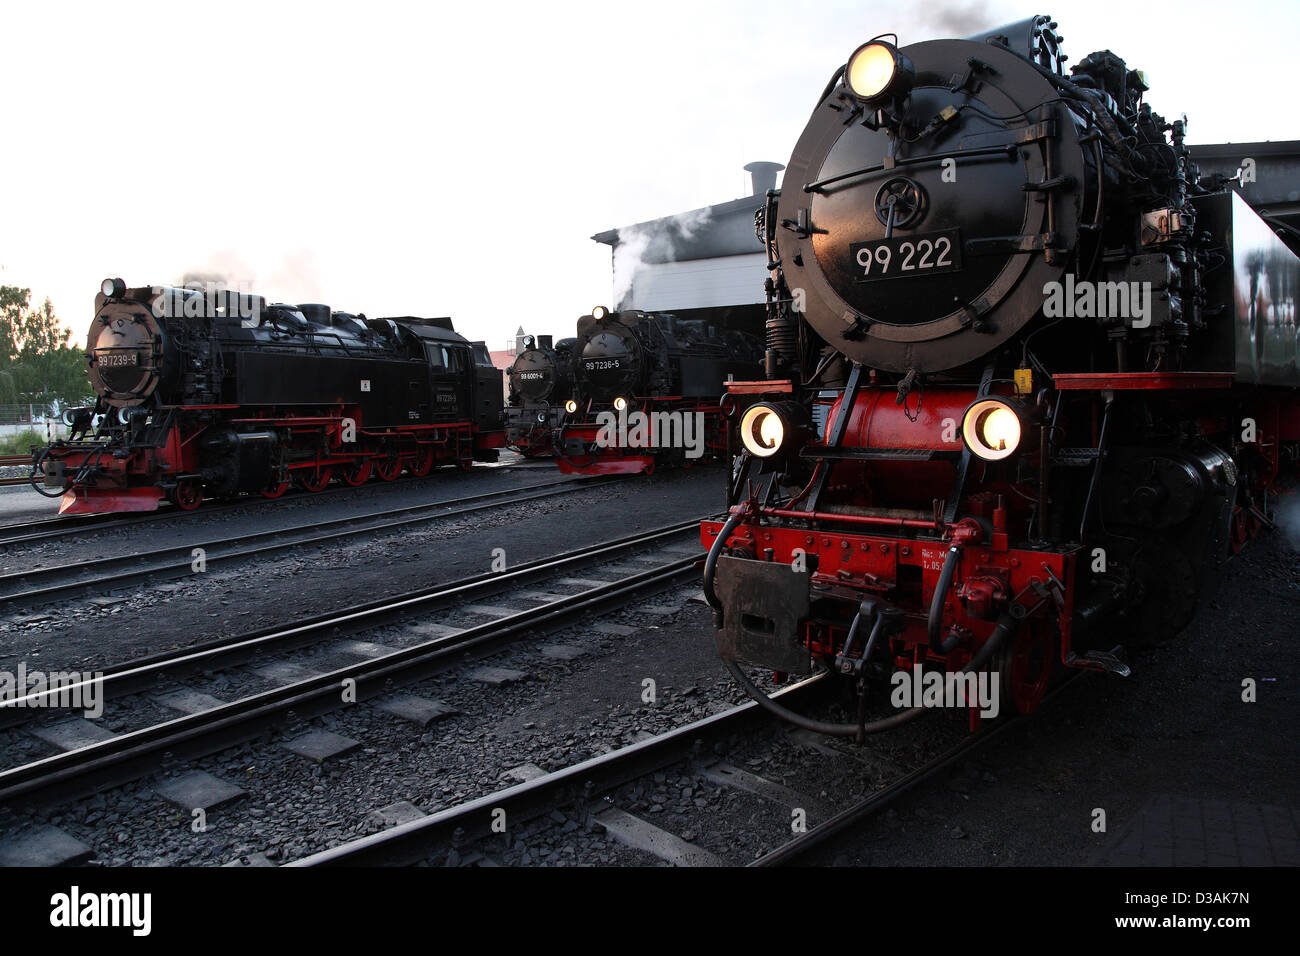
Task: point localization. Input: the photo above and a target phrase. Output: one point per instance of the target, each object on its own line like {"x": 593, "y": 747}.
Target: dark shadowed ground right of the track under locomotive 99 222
{"x": 1185, "y": 771}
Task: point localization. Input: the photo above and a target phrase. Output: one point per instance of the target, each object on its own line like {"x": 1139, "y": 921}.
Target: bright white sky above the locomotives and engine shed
{"x": 454, "y": 159}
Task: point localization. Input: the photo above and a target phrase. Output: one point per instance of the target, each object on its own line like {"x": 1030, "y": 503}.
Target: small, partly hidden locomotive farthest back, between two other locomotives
{"x": 541, "y": 383}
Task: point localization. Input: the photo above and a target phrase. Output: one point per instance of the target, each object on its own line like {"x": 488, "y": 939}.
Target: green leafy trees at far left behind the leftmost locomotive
{"x": 38, "y": 362}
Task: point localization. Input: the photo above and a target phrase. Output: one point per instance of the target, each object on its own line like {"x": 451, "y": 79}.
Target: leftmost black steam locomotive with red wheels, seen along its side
{"x": 209, "y": 392}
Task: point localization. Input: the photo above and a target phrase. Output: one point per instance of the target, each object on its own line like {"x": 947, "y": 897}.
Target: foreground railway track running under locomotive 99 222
{"x": 587, "y": 793}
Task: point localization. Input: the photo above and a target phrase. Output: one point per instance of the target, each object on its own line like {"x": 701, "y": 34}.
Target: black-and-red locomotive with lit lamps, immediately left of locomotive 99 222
{"x": 648, "y": 388}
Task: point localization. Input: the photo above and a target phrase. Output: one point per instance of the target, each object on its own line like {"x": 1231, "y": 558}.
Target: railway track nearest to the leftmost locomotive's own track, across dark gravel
{"x": 34, "y": 587}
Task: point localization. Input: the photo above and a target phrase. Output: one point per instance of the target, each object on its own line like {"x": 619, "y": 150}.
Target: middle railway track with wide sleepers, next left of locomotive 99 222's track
{"x": 129, "y": 755}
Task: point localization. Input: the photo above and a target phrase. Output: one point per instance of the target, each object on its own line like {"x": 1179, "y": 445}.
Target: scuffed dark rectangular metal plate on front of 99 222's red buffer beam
{"x": 765, "y": 604}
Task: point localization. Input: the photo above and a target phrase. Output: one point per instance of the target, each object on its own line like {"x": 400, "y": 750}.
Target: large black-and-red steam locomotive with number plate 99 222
{"x": 1028, "y": 380}
